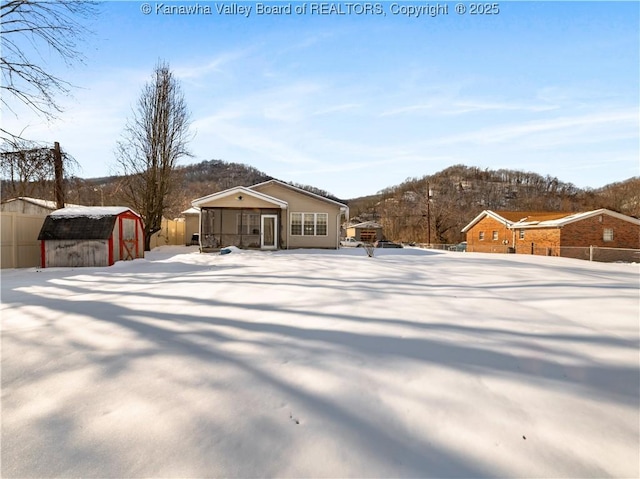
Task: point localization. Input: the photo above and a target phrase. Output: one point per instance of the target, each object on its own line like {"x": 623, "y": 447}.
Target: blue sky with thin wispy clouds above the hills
{"x": 356, "y": 103}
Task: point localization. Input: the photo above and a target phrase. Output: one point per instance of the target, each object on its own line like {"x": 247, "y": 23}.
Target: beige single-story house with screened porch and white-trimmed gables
{"x": 269, "y": 215}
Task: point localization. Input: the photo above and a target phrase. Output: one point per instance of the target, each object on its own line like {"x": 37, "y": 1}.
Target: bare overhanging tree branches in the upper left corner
{"x": 33, "y": 30}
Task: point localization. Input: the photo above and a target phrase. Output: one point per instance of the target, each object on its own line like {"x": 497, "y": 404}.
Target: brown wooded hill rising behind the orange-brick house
{"x": 436, "y": 207}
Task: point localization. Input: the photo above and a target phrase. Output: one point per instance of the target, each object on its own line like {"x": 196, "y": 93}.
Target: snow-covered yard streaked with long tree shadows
{"x": 322, "y": 364}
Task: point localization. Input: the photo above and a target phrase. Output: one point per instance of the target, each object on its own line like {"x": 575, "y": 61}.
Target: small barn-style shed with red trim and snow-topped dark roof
{"x": 91, "y": 236}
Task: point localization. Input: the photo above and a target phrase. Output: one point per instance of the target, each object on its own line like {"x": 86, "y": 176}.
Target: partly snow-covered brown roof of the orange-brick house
{"x": 543, "y": 219}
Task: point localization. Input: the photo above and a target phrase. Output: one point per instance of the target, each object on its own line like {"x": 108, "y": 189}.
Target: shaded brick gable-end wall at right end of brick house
{"x": 590, "y": 231}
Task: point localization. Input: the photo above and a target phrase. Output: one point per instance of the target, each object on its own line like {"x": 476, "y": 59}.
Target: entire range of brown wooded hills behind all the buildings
{"x": 446, "y": 201}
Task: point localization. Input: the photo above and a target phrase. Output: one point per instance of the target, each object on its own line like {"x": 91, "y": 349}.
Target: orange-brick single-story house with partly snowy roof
{"x": 551, "y": 233}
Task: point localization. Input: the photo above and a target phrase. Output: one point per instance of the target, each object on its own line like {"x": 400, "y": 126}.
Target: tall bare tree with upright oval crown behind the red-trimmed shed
{"x": 153, "y": 142}
